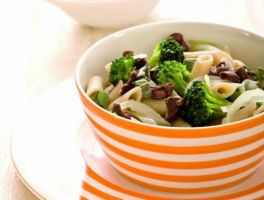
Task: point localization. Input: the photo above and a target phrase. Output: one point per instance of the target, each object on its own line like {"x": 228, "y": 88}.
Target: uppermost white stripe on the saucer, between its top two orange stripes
{"x": 108, "y": 190}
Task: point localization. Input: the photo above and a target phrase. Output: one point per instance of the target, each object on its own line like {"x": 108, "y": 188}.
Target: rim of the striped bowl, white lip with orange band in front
{"x": 126, "y": 31}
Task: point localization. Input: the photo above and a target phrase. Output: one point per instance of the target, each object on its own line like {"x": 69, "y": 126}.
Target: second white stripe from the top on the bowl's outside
{"x": 180, "y": 157}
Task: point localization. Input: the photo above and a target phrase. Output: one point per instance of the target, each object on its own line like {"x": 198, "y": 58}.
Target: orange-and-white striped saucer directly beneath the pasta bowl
{"x": 102, "y": 181}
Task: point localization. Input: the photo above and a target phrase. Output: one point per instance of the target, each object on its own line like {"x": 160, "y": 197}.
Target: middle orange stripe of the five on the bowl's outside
{"x": 180, "y": 165}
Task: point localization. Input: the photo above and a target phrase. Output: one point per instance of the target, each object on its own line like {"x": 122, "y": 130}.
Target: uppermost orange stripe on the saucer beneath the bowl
{"x": 107, "y": 183}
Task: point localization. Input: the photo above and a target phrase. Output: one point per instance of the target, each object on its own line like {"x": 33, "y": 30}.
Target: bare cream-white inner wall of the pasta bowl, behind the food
{"x": 243, "y": 45}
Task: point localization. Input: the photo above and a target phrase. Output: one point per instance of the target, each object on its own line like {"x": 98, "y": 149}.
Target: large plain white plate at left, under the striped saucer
{"x": 44, "y": 147}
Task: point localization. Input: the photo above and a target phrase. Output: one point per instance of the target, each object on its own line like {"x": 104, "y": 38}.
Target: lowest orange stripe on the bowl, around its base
{"x": 186, "y": 191}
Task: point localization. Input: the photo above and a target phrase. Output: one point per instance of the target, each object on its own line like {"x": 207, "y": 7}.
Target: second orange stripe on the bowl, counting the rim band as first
{"x": 179, "y": 150}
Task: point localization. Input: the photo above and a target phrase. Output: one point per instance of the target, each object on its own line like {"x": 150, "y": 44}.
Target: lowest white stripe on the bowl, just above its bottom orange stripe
{"x": 185, "y": 185}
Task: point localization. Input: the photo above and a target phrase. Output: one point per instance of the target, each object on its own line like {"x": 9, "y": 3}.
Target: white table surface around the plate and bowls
{"x": 40, "y": 45}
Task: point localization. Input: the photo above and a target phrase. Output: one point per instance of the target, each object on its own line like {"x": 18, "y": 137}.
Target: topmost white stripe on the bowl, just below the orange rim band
{"x": 177, "y": 141}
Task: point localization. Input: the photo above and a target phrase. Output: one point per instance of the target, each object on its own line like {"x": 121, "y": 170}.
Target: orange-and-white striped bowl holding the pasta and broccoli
{"x": 182, "y": 160}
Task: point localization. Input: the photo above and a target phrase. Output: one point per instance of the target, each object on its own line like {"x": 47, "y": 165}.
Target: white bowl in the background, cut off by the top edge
{"x": 106, "y": 13}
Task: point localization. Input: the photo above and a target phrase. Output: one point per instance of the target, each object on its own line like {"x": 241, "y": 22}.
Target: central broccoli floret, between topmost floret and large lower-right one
{"x": 173, "y": 72}
